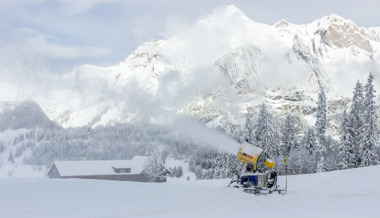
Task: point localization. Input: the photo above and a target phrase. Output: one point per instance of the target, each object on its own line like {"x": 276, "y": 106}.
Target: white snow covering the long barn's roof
{"x": 99, "y": 167}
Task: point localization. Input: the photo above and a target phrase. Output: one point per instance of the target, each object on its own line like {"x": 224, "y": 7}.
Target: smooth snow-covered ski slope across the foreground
{"x": 347, "y": 193}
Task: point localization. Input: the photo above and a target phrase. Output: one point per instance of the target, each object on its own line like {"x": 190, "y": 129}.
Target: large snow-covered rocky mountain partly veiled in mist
{"x": 215, "y": 70}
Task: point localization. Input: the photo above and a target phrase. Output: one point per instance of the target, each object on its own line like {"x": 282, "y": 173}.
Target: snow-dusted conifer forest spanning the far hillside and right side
{"x": 306, "y": 150}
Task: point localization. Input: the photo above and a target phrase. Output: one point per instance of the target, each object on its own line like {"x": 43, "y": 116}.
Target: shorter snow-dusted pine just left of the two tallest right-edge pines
{"x": 346, "y": 150}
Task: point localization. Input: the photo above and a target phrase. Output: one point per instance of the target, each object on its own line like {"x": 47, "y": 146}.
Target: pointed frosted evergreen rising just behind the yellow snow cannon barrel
{"x": 264, "y": 132}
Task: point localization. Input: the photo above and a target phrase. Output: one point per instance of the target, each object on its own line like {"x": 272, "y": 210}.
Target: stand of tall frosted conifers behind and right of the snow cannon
{"x": 314, "y": 151}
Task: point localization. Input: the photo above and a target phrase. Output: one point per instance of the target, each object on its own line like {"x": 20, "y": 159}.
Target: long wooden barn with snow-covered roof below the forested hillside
{"x": 122, "y": 170}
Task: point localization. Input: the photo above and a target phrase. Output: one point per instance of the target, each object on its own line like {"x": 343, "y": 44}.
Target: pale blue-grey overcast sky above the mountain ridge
{"x": 58, "y": 35}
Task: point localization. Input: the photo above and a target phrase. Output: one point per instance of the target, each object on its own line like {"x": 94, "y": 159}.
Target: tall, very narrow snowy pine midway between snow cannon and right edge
{"x": 320, "y": 127}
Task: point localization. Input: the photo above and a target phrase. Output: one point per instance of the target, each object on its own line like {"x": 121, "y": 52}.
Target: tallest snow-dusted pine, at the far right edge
{"x": 369, "y": 139}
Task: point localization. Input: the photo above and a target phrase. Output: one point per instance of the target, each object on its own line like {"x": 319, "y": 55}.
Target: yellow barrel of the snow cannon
{"x": 252, "y": 156}
